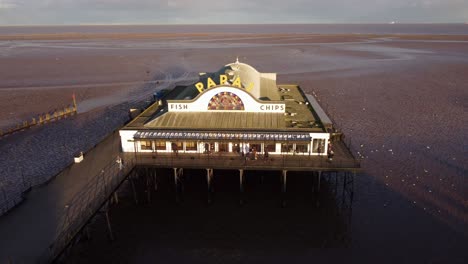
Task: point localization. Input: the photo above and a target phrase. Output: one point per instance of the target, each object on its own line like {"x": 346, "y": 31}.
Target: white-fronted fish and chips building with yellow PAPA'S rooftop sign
{"x": 235, "y": 111}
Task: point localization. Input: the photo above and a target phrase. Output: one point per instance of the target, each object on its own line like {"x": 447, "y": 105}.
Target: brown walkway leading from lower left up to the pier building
{"x": 28, "y": 230}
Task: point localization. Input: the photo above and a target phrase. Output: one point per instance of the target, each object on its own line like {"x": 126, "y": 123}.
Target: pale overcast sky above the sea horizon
{"x": 64, "y": 12}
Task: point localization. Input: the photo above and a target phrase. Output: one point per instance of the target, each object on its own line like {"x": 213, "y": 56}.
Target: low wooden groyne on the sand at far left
{"x": 41, "y": 119}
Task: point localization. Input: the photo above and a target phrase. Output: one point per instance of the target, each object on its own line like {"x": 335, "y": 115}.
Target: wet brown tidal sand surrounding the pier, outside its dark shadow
{"x": 401, "y": 99}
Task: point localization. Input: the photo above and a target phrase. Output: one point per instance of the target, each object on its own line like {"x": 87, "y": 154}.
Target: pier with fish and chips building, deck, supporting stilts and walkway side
{"x": 235, "y": 119}
